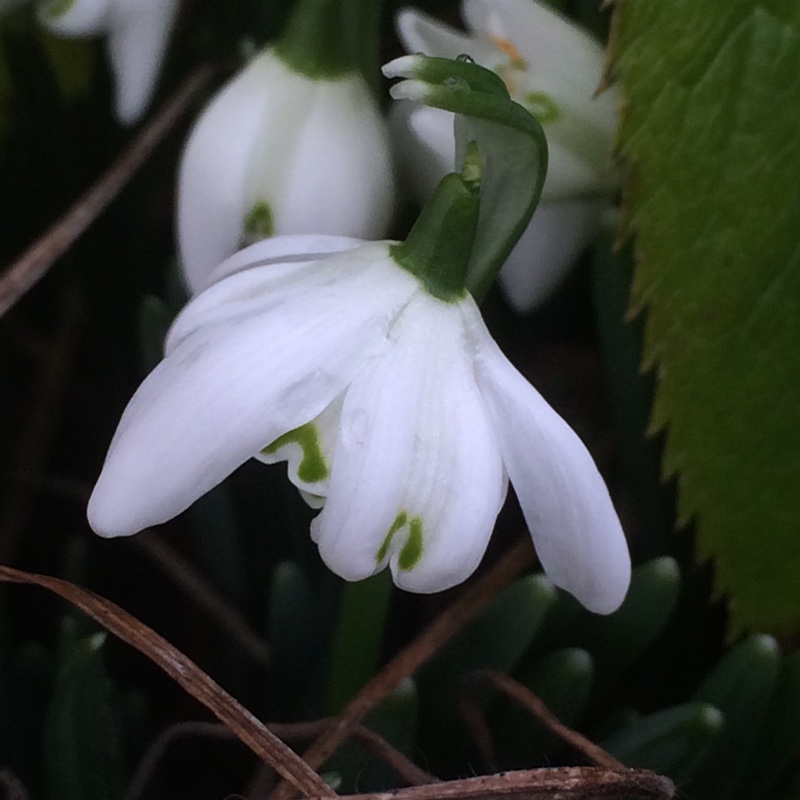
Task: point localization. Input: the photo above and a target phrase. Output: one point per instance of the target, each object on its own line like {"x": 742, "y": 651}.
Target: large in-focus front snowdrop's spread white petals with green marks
{"x": 395, "y": 410}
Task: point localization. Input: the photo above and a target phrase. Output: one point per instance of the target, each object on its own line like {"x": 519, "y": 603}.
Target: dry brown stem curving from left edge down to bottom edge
{"x": 188, "y": 675}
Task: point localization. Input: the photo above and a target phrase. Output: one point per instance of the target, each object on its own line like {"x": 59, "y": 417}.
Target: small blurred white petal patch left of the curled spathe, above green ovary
{"x": 424, "y": 145}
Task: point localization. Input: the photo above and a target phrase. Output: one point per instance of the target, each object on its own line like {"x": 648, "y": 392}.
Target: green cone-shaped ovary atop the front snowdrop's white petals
{"x": 438, "y": 248}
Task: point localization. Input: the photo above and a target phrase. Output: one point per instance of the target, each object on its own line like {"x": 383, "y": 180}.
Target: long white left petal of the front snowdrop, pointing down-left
{"x": 233, "y": 386}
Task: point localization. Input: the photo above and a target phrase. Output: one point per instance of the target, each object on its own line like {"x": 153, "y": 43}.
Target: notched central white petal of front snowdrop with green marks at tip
{"x": 417, "y": 478}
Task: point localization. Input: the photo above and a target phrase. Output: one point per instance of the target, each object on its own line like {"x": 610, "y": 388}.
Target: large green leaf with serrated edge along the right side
{"x": 710, "y": 125}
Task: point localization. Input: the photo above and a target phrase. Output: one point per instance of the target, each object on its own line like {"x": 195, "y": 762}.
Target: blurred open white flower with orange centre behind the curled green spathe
{"x": 553, "y": 68}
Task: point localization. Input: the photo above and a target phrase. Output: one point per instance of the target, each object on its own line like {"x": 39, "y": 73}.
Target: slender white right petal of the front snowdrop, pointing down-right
{"x": 575, "y": 529}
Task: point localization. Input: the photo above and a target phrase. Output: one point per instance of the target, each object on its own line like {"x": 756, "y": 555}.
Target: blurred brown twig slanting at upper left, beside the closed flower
{"x": 24, "y": 273}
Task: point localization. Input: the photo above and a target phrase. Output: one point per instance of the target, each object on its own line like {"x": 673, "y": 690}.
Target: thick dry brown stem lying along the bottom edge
{"x": 558, "y": 783}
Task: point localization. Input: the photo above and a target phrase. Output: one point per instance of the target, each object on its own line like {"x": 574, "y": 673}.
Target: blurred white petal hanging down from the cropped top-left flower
{"x": 137, "y": 39}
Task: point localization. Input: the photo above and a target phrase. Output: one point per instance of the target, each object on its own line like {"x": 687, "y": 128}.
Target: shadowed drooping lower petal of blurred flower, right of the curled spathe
{"x": 557, "y": 234}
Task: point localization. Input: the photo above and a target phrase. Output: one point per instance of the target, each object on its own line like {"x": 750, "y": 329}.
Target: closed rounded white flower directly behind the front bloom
{"x": 277, "y": 152}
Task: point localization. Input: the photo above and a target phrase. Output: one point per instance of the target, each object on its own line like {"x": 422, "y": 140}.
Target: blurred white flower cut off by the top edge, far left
{"x": 137, "y": 31}
